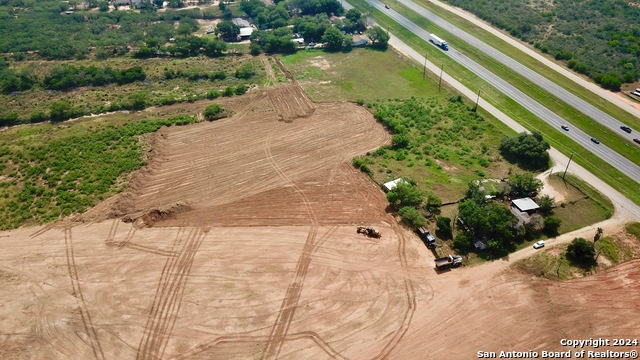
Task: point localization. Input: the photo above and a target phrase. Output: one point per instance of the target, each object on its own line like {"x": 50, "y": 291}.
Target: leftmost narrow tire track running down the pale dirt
{"x": 92, "y": 335}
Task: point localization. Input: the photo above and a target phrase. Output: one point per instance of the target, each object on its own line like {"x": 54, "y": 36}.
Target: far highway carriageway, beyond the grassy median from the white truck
{"x": 549, "y": 86}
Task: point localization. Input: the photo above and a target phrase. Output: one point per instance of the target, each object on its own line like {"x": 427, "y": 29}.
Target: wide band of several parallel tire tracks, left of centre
{"x": 169, "y": 293}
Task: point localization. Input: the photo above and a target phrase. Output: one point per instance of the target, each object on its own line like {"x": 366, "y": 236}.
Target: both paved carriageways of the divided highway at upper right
{"x": 605, "y": 153}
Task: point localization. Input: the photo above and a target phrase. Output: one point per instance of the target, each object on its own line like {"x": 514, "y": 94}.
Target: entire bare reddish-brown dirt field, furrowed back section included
{"x": 238, "y": 241}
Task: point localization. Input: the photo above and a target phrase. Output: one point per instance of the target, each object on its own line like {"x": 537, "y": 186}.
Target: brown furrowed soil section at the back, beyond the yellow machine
{"x": 240, "y": 171}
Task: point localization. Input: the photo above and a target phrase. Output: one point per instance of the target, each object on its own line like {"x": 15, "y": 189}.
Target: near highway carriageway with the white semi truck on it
{"x": 605, "y": 153}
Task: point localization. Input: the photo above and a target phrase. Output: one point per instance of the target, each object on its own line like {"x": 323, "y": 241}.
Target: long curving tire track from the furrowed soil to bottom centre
{"x": 278, "y": 333}
